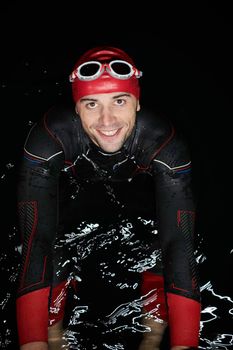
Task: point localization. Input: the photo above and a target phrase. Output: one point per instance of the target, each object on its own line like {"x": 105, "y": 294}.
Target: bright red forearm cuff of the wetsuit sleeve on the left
{"x": 32, "y": 316}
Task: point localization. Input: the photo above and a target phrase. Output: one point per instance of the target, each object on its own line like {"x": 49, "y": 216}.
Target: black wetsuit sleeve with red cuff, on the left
{"x": 37, "y": 212}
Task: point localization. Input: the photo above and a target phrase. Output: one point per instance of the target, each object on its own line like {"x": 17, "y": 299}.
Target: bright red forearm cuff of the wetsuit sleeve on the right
{"x": 184, "y": 320}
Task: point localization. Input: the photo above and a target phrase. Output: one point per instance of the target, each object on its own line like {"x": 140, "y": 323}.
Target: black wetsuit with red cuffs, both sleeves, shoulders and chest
{"x": 57, "y": 148}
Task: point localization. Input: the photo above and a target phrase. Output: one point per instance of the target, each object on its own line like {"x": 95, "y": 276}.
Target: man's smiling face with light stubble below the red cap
{"x": 109, "y": 118}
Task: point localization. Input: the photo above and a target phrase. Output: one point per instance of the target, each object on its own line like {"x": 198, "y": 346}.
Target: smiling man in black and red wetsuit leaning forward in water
{"x": 105, "y": 138}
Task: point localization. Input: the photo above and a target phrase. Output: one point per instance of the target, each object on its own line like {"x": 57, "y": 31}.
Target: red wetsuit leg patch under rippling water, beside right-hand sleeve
{"x": 152, "y": 281}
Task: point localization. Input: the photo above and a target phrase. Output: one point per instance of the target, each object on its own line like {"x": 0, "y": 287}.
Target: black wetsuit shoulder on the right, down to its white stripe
{"x": 157, "y": 140}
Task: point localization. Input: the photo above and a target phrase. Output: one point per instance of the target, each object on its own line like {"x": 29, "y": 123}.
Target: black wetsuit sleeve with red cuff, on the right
{"x": 176, "y": 217}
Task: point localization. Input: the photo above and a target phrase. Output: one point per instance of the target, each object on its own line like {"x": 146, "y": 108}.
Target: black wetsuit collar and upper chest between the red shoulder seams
{"x": 86, "y": 162}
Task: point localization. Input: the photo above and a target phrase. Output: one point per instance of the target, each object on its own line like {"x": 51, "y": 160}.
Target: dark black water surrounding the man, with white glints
{"x": 190, "y": 79}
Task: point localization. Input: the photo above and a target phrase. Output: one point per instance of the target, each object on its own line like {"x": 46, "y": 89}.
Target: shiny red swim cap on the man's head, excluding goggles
{"x": 105, "y": 82}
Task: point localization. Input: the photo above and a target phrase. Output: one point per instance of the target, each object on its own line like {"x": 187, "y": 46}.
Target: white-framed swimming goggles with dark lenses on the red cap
{"x": 92, "y": 70}
